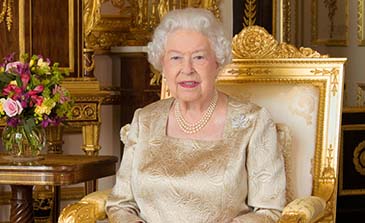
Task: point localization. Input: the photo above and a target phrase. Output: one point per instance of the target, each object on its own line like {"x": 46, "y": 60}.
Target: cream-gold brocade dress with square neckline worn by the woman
{"x": 239, "y": 178}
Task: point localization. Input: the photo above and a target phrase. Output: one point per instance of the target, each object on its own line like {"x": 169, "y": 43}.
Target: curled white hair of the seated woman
{"x": 197, "y": 19}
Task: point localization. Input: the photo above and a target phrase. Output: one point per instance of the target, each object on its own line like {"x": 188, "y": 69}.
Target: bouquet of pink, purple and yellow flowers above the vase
{"x": 31, "y": 95}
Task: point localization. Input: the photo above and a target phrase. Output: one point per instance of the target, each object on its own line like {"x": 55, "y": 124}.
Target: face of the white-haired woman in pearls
{"x": 189, "y": 65}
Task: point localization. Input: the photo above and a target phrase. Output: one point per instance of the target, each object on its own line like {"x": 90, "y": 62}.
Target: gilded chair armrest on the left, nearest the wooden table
{"x": 89, "y": 209}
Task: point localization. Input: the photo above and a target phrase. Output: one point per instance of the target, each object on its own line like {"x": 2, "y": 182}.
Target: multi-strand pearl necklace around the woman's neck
{"x": 189, "y": 128}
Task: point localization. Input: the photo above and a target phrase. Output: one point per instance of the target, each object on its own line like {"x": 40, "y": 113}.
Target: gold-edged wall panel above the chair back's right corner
{"x": 330, "y": 28}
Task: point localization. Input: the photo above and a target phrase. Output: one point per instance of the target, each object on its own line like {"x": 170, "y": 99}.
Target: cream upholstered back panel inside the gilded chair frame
{"x": 298, "y": 110}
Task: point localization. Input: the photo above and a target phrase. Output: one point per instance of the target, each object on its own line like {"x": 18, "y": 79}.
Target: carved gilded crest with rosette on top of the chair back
{"x": 255, "y": 42}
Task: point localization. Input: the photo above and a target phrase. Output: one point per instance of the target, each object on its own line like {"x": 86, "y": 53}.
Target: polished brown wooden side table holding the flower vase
{"x": 55, "y": 170}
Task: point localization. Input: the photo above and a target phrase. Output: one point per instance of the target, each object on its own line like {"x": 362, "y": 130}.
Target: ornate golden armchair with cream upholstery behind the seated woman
{"x": 303, "y": 91}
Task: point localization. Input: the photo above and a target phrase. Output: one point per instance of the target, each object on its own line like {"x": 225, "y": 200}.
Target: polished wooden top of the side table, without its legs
{"x": 56, "y": 170}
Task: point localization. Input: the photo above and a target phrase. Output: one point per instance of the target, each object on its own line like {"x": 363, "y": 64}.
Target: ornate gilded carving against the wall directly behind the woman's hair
{"x": 135, "y": 22}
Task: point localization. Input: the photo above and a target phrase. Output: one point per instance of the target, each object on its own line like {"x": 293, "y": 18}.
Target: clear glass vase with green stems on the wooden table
{"x": 22, "y": 144}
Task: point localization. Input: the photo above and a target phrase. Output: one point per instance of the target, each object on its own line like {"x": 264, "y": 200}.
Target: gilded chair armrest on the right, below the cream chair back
{"x": 304, "y": 210}
